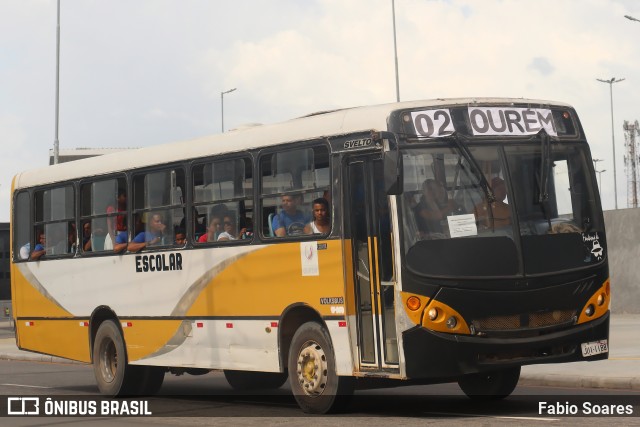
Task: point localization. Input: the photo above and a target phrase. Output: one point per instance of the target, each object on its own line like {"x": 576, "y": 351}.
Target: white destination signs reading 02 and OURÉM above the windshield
{"x": 486, "y": 121}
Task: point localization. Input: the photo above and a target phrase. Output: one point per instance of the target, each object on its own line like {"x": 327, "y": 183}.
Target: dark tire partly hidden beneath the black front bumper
{"x": 490, "y": 385}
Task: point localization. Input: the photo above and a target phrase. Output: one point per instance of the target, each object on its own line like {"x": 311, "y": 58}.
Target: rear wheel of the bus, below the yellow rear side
{"x": 115, "y": 377}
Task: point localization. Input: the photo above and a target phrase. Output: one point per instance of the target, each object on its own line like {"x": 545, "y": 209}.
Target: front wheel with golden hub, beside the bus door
{"x": 314, "y": 382}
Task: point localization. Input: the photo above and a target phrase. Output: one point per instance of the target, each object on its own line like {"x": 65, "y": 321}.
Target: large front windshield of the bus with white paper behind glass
{"x": 509, "y": 210}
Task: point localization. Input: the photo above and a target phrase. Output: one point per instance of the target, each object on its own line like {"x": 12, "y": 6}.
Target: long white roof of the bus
{"x": 338, "y": 122}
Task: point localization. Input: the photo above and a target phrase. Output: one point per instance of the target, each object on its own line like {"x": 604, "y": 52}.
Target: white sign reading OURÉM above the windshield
{"x": 511, "y": 121}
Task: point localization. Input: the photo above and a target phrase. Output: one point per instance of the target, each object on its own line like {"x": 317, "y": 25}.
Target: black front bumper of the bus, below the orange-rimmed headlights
{"x": 430, "y": 354}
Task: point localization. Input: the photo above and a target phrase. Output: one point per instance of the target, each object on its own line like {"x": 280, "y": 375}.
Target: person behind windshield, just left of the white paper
{"x": 432, "y": 210}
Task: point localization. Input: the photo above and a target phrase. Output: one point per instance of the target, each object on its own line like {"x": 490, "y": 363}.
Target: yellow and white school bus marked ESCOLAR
{"x": 426, "y": 241}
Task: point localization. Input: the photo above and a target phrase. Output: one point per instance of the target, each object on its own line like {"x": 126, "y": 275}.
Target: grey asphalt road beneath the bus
{"x": 200, "y": 400}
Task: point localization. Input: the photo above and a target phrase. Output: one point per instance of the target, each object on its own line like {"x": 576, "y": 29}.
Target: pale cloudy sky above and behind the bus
{"x": 137, "y": 73}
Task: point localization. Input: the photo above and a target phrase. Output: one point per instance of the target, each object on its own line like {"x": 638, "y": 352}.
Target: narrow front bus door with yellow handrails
{"x": 368, "y": 223}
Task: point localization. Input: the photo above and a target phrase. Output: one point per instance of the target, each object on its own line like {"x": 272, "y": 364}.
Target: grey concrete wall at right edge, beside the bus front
{"x": 623, "y": 241}
